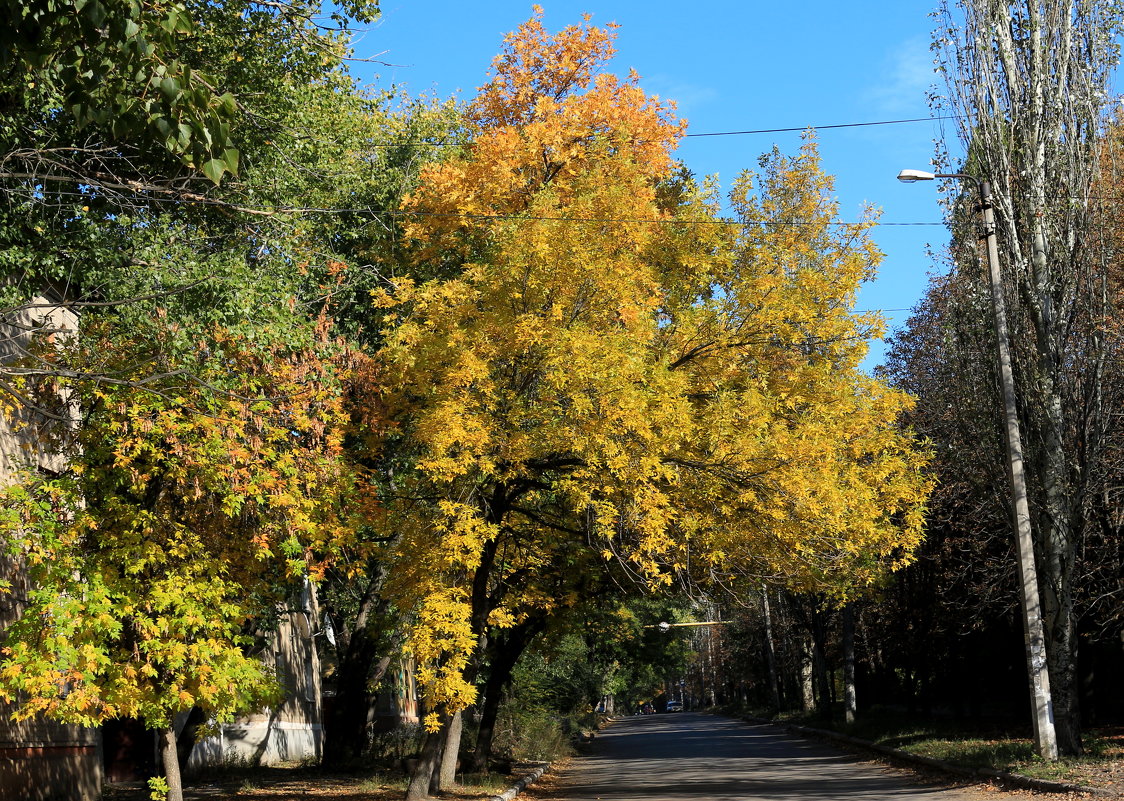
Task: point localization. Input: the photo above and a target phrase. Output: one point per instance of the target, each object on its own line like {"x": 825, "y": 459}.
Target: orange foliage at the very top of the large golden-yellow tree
{"x": 548, "y": 121}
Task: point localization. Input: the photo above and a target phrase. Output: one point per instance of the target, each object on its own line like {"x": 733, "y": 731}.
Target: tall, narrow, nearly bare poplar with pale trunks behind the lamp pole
{"x": 1029, "y": 81}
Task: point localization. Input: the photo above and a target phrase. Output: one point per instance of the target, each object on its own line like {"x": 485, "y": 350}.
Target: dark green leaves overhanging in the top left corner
{"x": 149, "y": 74}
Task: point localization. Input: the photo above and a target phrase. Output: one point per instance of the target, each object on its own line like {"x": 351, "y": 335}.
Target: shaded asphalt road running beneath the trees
{"x": 667, "y": 758}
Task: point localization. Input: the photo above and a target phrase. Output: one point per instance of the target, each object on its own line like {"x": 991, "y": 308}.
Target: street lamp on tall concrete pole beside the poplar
{"x": 1029, "y": 584}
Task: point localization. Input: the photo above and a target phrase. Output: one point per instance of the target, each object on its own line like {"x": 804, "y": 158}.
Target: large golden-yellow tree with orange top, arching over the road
{"x": 612, "y": 368}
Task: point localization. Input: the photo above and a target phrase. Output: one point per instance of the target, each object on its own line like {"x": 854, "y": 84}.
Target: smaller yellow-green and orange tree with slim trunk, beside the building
{"x": 168, "y": 542}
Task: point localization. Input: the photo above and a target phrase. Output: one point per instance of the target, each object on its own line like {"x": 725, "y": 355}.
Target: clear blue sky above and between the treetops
{"x": 736, "y": 67}
